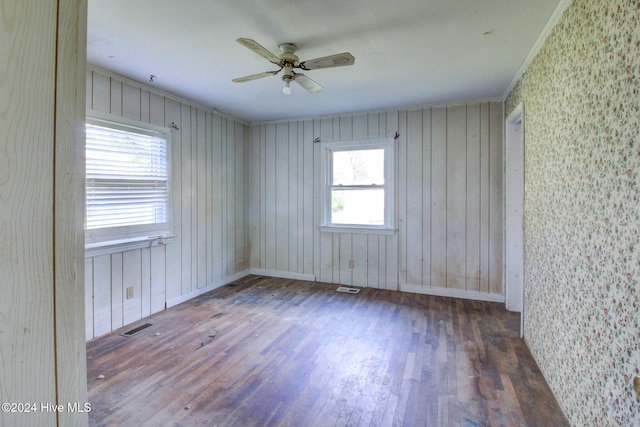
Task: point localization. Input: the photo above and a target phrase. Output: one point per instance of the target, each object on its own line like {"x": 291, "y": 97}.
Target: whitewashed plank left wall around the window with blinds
{"x": 208, "y": 157}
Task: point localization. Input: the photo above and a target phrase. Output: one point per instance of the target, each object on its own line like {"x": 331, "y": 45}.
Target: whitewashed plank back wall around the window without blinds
{"x": 449, "y": 201}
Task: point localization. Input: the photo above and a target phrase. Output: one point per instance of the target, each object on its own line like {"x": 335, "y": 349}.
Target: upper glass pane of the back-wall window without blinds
{"x": 358, "y": 167}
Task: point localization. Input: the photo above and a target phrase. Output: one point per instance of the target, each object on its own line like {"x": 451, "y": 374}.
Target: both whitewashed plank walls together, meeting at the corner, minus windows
{"x": 247, "y": 200}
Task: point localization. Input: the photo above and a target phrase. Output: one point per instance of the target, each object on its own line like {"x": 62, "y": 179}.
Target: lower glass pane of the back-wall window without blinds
{"x": 362, "y": 207}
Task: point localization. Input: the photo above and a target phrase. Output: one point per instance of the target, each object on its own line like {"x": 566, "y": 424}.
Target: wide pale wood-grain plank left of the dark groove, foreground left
{"x": 27, "y": 347}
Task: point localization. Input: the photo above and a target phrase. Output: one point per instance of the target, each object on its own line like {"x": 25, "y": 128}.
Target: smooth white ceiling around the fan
{"x": 408, "y": 52}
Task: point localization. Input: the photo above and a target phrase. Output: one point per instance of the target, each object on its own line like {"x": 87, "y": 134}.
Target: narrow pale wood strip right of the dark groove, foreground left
{"x": 69, "y": 173}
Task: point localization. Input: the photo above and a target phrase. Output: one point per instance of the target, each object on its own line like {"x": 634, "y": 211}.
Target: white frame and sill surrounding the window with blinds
{"x": 108, "y": 240}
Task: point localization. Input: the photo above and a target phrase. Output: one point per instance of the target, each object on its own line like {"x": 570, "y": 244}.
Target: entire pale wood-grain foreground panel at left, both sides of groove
{"x": 42, "y": 348}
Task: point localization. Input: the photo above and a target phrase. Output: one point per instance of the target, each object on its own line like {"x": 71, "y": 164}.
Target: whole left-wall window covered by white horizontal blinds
{"x": 127, "y": 183}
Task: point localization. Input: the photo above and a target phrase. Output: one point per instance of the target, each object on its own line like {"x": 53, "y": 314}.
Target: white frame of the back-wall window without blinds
{"x": 386, "y": 144}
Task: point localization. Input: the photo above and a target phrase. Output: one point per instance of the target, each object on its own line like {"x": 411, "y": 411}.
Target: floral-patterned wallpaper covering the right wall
{"x": 582, "y": 210}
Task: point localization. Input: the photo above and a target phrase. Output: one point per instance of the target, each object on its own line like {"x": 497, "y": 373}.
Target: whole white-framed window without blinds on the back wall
{"x": 359, "y": 183}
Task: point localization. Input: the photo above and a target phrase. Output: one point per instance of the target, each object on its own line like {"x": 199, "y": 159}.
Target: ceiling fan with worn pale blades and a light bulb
{"x": 287, "y": 61}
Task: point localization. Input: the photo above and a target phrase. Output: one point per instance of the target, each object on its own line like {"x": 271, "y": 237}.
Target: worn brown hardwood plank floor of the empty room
{"x": 276, "y": 352}
